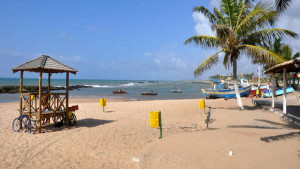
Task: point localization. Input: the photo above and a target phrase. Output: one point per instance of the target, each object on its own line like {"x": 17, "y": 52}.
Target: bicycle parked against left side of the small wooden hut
{"x": 29, "y": 125}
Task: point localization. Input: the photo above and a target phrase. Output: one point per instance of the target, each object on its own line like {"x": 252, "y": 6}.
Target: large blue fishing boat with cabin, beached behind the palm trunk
{"x": 224, "y": 90}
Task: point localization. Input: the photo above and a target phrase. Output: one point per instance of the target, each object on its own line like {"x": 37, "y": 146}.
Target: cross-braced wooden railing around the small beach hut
{"x": 49, "y": 101}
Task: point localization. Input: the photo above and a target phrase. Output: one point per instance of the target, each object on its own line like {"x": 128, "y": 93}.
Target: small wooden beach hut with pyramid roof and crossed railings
{"x": 43, "y": 105}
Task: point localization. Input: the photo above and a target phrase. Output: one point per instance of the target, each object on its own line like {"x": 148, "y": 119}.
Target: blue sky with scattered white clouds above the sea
{"x": 116, "y": 39}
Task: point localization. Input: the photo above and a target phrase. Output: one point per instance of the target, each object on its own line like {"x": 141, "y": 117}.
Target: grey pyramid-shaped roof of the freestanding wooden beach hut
{"x": 45, "y": 64}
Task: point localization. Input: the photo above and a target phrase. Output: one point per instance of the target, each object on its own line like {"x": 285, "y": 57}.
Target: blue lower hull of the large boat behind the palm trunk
{"x": 226, "y": 93}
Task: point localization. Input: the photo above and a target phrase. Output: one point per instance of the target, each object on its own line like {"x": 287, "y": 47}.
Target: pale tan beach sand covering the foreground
{"x": 110, "y": 140}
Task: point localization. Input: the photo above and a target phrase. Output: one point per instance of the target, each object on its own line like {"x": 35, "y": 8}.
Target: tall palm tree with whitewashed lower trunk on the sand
{"x": 239, "y": 27}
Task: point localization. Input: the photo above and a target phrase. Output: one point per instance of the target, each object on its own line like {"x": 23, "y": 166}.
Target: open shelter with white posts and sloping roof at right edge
{"x": 289, "y": 66}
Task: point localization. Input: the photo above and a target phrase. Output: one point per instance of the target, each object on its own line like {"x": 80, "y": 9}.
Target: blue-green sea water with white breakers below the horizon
{"x": 104, "y": 88}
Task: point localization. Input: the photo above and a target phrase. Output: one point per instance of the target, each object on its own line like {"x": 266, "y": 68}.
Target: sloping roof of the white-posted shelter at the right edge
{"x": 290, "y": 66}
